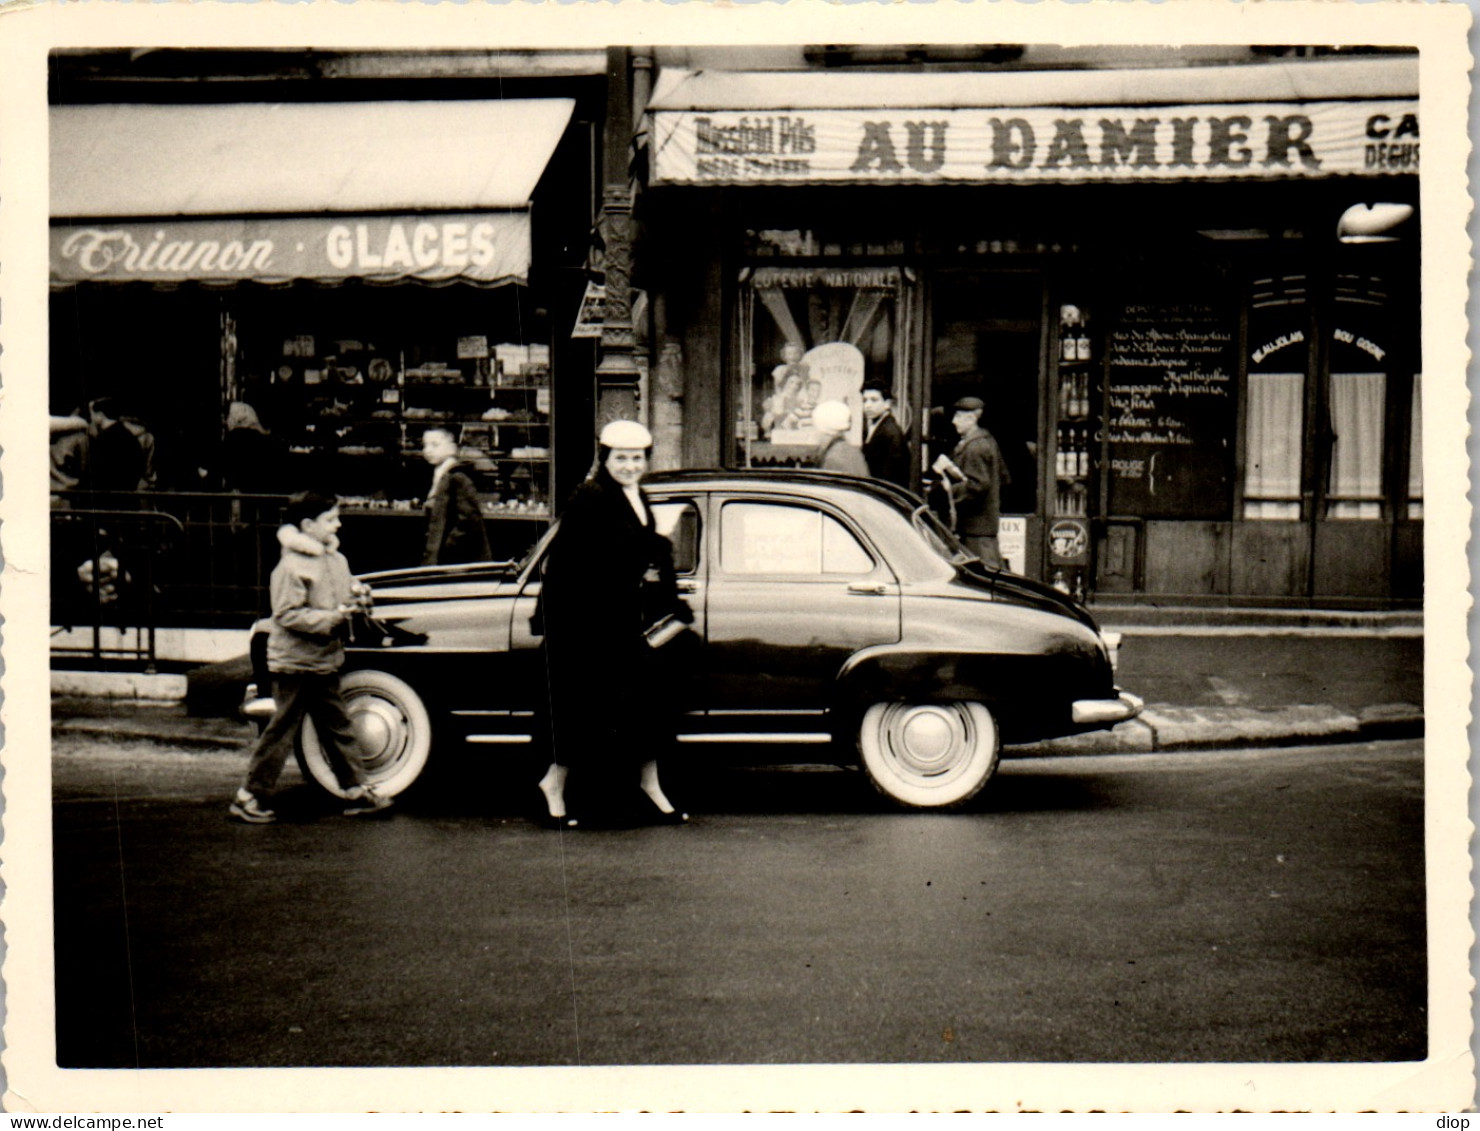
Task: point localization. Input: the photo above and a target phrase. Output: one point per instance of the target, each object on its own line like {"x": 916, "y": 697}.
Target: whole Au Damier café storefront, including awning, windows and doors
{"x": 1188, "y": 297}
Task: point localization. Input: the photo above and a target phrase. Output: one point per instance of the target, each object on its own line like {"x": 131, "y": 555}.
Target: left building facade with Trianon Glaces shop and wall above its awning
{"x": 291, "y": 272}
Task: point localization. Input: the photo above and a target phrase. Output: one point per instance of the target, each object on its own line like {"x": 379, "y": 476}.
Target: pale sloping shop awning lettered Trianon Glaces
{"x": 436, "y": 192}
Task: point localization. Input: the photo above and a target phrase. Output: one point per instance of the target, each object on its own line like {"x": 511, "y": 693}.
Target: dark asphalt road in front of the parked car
{"x": 1241, "y": 907}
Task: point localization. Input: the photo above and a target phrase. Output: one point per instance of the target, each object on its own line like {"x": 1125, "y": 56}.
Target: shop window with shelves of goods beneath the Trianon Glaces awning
{"x": 350, "y": 412}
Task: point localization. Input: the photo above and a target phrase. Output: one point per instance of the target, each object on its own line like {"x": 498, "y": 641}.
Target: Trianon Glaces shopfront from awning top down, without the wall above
{"x": 363, "y": 292}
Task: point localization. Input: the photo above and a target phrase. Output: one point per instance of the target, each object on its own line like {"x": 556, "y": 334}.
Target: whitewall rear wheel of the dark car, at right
{"x": 930, "y": 756}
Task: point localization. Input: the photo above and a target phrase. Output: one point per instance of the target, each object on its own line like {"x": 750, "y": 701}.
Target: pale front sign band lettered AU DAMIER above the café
{"x": 1038, "y": 144}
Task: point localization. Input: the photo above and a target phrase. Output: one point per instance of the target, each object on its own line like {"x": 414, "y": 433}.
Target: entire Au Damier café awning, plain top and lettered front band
{"x": 1288, "y": 119}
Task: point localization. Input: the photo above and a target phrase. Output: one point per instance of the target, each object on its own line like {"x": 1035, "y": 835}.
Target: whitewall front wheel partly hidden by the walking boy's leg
{"x": 394, "y": 731}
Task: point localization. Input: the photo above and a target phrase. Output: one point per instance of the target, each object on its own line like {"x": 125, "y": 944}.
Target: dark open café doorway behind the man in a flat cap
{"x": 986, "y": 332}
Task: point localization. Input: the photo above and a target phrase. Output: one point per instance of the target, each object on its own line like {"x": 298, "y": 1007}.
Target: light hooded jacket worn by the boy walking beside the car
{"x": 309, "y": 587}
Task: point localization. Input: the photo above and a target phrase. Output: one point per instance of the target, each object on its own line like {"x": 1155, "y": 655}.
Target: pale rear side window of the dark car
{"x": 770, "y": 538}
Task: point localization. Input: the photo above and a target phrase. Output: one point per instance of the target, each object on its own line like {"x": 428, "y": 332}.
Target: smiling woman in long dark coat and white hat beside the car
{"x": 609, "y": 577}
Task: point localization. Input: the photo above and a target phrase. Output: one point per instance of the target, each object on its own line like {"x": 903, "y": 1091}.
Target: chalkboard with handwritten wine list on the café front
{"x": 1170, "y": 409}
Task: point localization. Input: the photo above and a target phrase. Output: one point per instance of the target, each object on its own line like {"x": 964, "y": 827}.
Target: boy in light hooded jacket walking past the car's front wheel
{"x": 314, "y": 596}
